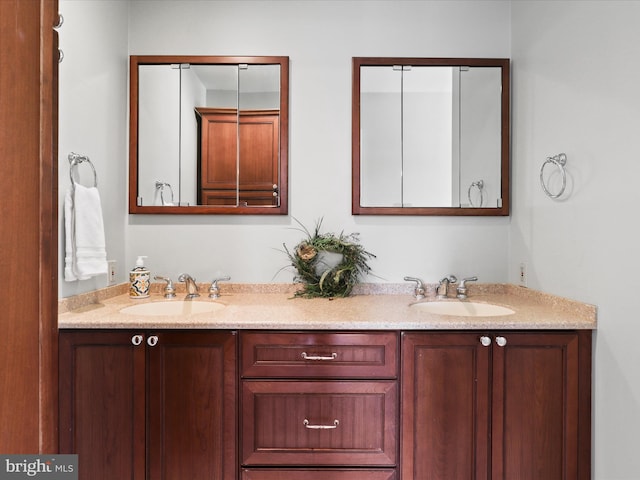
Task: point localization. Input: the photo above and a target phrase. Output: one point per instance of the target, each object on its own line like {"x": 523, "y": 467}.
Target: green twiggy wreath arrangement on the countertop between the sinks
{"x": 328, "y": 265}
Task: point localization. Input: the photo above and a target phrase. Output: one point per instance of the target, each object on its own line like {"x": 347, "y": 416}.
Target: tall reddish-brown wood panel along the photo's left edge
{"x": 28, "y": 142}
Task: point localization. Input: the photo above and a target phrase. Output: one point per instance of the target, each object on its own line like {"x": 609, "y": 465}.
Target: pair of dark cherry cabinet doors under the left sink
{"x": 149, "y": 405}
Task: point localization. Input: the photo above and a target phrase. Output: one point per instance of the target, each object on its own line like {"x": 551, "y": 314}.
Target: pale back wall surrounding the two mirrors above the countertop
{"x": 320, "y": 37}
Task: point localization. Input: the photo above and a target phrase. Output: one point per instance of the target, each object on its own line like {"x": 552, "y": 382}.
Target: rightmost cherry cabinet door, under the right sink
{"x": 536, "y": 404}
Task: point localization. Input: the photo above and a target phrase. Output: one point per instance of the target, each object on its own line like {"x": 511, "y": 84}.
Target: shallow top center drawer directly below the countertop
{"x": 309, "y": 354}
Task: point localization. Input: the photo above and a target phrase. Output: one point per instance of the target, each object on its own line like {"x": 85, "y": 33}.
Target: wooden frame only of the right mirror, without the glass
{"x": 504, "y": 64}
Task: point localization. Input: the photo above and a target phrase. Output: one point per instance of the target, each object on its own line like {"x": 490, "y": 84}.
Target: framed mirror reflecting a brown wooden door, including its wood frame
{"x": 208, "y": 135}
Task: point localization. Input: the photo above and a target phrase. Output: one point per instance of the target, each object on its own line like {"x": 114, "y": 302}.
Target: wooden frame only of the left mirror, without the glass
{"x": 135, "y": 61}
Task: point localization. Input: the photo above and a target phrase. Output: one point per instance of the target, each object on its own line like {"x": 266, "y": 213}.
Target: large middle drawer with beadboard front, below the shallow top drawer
{"x": 345, "y": 423}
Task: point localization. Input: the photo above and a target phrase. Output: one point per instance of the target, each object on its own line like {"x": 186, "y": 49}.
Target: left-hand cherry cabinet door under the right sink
{"x": 445, "y": 406}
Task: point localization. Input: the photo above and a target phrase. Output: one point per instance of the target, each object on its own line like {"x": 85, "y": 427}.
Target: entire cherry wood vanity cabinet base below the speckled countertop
{"x": 327, "y": 405}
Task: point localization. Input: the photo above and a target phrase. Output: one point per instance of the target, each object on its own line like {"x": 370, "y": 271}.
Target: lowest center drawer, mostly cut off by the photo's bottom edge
{"x": 318, "y": 474}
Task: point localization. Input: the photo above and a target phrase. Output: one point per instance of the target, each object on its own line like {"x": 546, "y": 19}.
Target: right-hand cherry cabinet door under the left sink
{"x": 192, "y": 406}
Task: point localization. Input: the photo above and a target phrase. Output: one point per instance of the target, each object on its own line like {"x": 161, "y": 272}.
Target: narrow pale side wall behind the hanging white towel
{"x": 93, "y": 117}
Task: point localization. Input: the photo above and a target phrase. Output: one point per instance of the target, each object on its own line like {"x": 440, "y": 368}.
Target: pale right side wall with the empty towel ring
{"x": 577, "y": 90}
